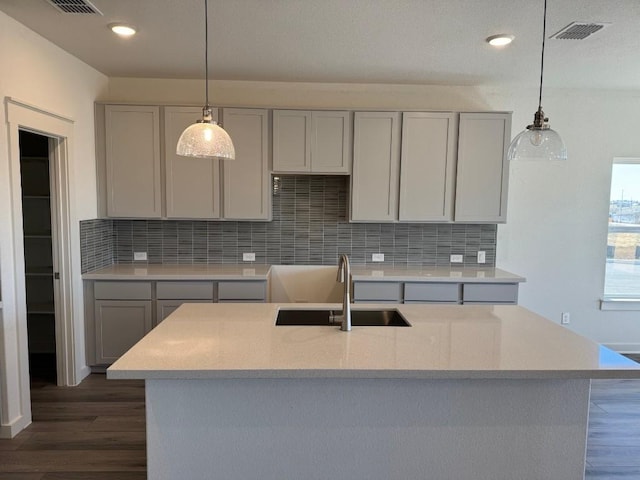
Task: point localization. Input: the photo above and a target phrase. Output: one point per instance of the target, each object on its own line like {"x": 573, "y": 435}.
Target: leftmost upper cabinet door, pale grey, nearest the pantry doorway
{"x": 132, "y": 147}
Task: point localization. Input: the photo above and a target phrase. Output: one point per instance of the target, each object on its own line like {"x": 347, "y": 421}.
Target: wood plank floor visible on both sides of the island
{"x": 96, "y": 431}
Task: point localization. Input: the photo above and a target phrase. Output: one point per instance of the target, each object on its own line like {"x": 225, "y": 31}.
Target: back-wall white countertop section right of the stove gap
{"x": 435, "y": 274}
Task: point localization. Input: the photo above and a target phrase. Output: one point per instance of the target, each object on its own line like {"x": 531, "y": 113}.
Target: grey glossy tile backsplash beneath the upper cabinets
{"x": 309, "y": 227}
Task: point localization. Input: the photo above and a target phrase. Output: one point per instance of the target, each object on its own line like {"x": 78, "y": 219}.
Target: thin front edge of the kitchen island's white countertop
{"x": 114, "y": 374}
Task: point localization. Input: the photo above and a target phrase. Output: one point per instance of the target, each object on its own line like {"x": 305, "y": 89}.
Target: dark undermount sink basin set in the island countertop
{"x": 359, "y": 318}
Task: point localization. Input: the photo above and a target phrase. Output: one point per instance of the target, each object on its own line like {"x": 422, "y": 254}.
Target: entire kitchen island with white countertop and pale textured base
{"x": 466, "y": 392}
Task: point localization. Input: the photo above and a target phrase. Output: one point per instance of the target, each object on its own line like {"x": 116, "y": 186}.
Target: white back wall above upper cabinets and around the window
{"x": 557, "y": 220}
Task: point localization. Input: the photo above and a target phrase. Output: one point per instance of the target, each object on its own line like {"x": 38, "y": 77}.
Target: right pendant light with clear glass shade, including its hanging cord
{"x": 538, "y": 141}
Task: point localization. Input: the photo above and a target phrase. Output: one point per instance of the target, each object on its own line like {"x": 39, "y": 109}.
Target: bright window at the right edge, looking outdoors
{"x": 622, "y": 278}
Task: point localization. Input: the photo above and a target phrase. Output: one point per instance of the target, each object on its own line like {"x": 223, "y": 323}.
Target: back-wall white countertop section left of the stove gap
{"x": 179, "y": 272}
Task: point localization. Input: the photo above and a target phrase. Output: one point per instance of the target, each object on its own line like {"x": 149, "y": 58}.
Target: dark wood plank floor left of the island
{"x": 95, "y": 431}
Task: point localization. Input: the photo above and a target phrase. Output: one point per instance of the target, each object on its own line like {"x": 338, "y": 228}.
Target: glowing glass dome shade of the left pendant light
{"x": 206, "y": 139}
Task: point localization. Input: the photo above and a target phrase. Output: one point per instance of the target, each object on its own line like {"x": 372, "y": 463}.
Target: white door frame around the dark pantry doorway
{"x": 15, "y": 395}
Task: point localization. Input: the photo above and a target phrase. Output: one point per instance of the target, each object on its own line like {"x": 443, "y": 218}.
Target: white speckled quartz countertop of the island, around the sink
{"x": 206, "y": 341}
